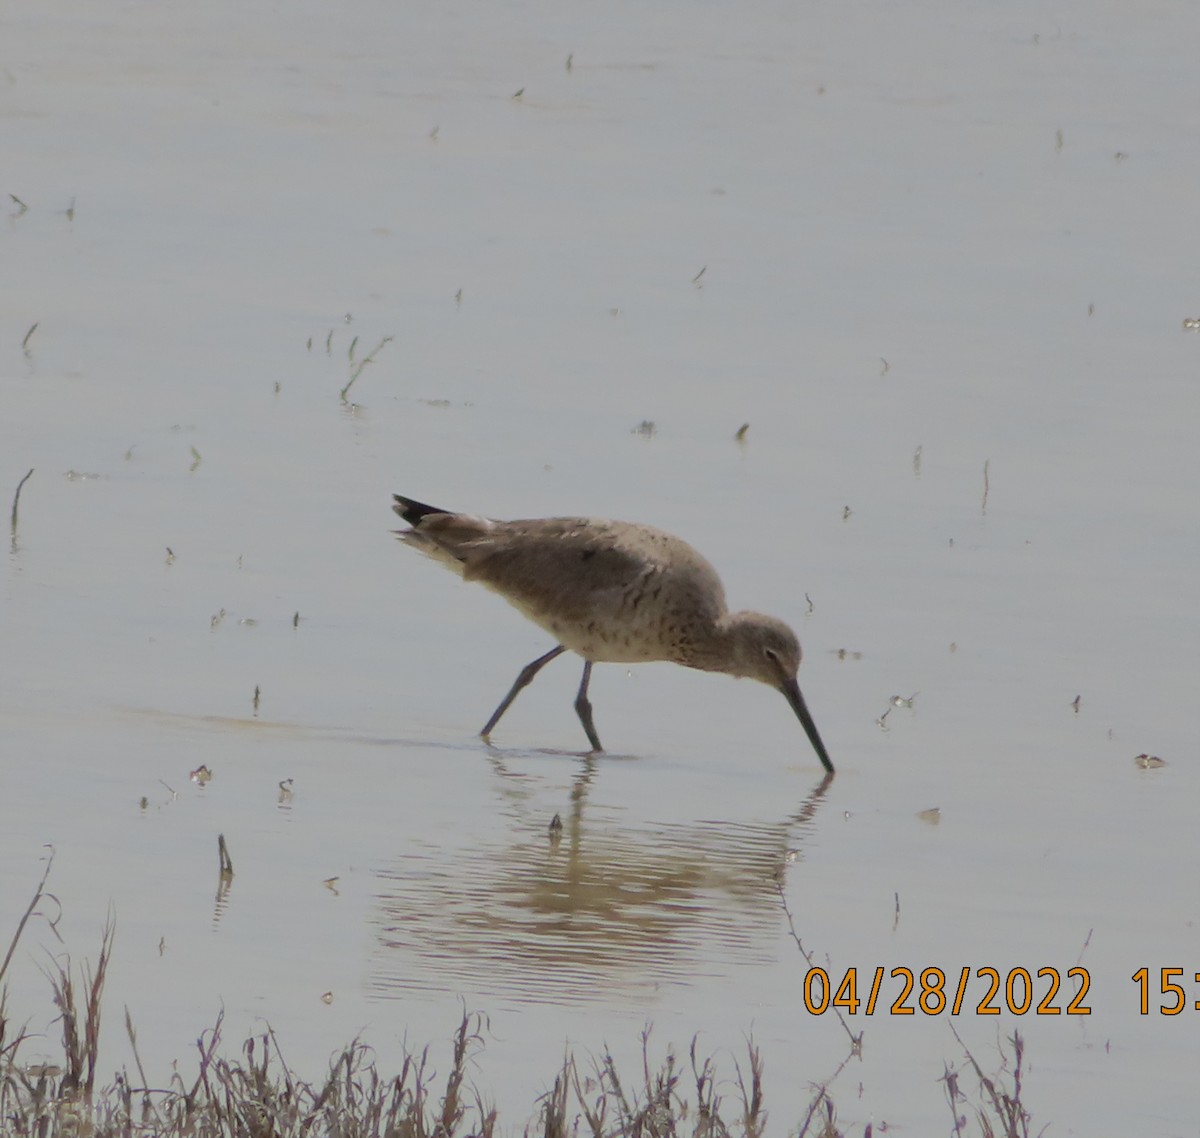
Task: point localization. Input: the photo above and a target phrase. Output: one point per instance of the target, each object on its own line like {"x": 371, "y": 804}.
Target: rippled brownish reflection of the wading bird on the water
{"x": 577, "y": 911}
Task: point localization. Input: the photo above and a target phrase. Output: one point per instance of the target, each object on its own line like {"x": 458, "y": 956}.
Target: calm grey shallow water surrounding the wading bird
{"x": 946, "y": 265}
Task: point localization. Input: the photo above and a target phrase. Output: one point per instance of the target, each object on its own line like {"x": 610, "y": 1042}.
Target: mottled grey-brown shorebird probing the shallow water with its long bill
{"x": 614, "y": 594}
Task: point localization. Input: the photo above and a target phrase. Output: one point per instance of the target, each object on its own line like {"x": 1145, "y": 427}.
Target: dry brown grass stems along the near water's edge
{"x": 253, "y": 1093}
